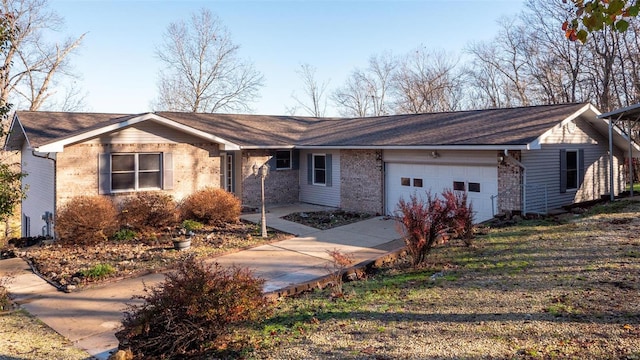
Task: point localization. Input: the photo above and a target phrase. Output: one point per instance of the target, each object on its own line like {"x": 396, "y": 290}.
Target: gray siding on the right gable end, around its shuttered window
{"x": 543, "y": 166}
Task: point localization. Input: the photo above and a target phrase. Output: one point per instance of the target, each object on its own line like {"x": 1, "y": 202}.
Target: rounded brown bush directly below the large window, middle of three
{"x": 148, "y": 211}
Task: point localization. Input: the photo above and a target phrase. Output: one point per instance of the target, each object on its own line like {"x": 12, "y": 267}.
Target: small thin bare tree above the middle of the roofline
{"x": 314, "y": 101}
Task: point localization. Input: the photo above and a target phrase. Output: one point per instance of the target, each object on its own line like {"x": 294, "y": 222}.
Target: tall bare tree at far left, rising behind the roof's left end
{"x": 32, "y": 67}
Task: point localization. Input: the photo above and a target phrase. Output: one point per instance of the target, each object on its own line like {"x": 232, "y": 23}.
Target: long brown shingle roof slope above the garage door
{"x": 513, "y": 126}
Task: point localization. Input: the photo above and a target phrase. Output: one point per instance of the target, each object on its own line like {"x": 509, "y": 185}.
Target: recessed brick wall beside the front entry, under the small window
{"x": 281, "y": 186}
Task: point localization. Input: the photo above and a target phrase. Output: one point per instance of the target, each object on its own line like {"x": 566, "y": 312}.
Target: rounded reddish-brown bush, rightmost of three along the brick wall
{"x": 211, "y": 206}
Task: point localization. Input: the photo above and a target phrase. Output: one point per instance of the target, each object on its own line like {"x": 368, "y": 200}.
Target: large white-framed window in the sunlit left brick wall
{"x": 130, "y": 172}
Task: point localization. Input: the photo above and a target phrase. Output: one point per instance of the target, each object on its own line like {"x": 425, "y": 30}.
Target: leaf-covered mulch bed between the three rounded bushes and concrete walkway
{"x": 66, "y": 266}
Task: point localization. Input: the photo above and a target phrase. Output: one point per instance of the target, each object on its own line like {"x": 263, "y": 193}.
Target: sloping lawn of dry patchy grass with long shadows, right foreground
{"x": 534, "y": 291}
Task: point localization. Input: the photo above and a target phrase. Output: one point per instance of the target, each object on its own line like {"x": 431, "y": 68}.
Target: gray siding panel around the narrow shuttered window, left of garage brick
{"x": 318, "y": 194}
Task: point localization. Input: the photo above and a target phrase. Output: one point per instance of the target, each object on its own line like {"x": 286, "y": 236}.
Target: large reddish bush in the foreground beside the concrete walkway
{"x": 193, "y": 312}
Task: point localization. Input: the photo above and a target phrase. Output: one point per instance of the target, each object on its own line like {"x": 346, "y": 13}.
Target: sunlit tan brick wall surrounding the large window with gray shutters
{"x": 195, "y": 166}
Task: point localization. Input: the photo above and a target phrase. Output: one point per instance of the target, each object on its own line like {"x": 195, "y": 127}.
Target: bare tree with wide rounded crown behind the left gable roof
{"x": 203, "y": 71}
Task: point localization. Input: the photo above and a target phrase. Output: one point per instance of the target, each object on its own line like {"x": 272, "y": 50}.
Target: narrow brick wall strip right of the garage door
{"x": 510, "y": 184}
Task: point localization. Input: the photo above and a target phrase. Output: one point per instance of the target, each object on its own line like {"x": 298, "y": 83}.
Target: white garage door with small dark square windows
{"x": 480, "y": 182}
